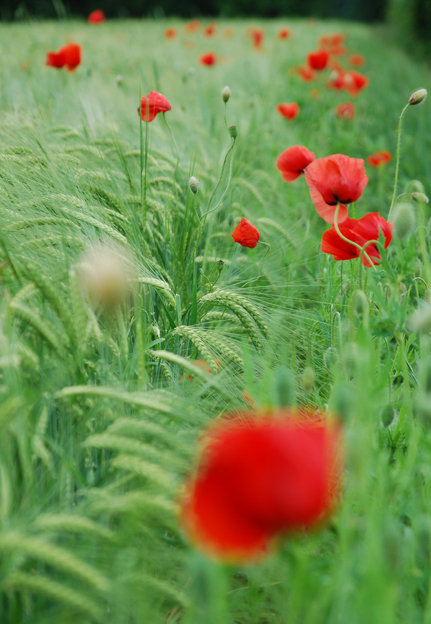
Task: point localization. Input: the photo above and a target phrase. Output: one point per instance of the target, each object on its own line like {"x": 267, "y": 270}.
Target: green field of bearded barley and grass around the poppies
{"x": 97, "y": 428}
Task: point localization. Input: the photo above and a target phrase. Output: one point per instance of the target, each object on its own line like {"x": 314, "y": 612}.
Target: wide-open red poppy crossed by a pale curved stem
{"x": 359, "y": 231}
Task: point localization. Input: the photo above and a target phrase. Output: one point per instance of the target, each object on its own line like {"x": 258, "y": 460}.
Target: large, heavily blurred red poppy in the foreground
{"x": 259, "y": 476}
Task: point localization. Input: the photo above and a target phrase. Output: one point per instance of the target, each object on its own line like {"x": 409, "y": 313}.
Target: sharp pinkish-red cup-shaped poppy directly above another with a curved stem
{"x": 333, "y": 180}
